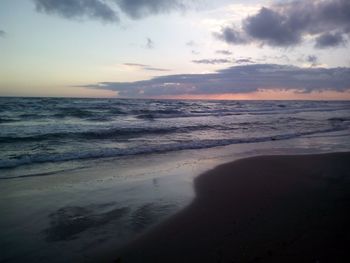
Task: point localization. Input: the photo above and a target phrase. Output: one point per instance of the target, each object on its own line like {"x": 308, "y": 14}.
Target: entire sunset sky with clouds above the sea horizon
{"x": 195, "y": 49}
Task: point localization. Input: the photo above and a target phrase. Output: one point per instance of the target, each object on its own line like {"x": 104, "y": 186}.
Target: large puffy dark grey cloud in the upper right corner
{"x": 290, "y": 23}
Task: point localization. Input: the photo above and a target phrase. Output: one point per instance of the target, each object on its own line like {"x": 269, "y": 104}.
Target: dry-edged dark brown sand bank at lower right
{"x": 260, "y": 209}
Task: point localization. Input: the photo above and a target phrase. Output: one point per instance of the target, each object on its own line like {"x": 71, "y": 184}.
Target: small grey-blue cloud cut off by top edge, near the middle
{"x": 140, "y": 8}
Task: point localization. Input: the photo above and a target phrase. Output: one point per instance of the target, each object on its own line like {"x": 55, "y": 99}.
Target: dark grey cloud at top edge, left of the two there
{"x": 78, "y": 9}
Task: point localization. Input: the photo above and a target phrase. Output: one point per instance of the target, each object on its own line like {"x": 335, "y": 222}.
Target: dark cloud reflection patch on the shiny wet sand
{"x": 68, "y": 222}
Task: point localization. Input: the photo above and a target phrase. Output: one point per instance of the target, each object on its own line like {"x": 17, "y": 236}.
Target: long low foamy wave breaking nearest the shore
{"x": 180, "y": 145}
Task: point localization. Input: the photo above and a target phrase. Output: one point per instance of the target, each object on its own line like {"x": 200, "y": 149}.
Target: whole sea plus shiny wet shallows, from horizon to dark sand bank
{"x": 82, "y": 177}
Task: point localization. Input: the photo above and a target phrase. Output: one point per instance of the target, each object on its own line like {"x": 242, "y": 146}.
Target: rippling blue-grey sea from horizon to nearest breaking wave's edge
{"x": 51, "y": 130}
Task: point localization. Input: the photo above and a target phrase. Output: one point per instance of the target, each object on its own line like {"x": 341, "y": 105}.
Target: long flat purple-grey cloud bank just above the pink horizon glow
{"x": 236, "y": 79}
